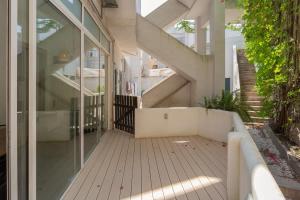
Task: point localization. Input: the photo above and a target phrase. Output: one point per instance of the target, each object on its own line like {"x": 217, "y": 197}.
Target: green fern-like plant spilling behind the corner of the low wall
{"x": 229, "y": 101}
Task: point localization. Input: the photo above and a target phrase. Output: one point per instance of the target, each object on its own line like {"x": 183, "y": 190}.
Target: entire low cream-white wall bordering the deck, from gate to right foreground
{"x": 248, "y": 177}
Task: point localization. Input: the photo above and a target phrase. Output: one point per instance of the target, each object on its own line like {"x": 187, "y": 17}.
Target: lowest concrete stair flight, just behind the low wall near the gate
{"x": 172, "y": 91}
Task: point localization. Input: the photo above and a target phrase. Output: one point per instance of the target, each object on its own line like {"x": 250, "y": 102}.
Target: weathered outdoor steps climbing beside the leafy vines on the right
{"x": 248, "y": 91}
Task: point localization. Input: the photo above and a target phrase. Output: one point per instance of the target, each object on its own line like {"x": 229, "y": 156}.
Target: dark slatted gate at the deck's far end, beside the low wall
{"x": 125, "y": 113}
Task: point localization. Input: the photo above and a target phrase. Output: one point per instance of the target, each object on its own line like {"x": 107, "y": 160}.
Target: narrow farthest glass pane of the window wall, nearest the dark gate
{"x": 103, "y": 67}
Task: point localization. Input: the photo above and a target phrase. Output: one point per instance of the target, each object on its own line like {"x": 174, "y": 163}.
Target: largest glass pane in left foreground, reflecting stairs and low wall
{"x": 58, "y": 102}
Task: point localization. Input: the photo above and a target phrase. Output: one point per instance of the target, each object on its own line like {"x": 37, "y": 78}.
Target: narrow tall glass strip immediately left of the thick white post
{"x": 22, "y": 98}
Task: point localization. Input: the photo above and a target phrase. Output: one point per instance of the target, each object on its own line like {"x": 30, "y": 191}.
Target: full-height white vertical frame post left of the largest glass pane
{"x": 32, "y": 102}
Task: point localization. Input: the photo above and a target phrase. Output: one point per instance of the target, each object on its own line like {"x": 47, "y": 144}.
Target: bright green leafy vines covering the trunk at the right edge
{"x": 272, "y": 44}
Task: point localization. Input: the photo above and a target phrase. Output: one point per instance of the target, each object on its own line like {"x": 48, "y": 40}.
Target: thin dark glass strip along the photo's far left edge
{"x": 3, "y": 105}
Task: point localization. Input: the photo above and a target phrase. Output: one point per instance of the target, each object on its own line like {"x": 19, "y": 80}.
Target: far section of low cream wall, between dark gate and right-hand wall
{"x": 165, "y": 122}
